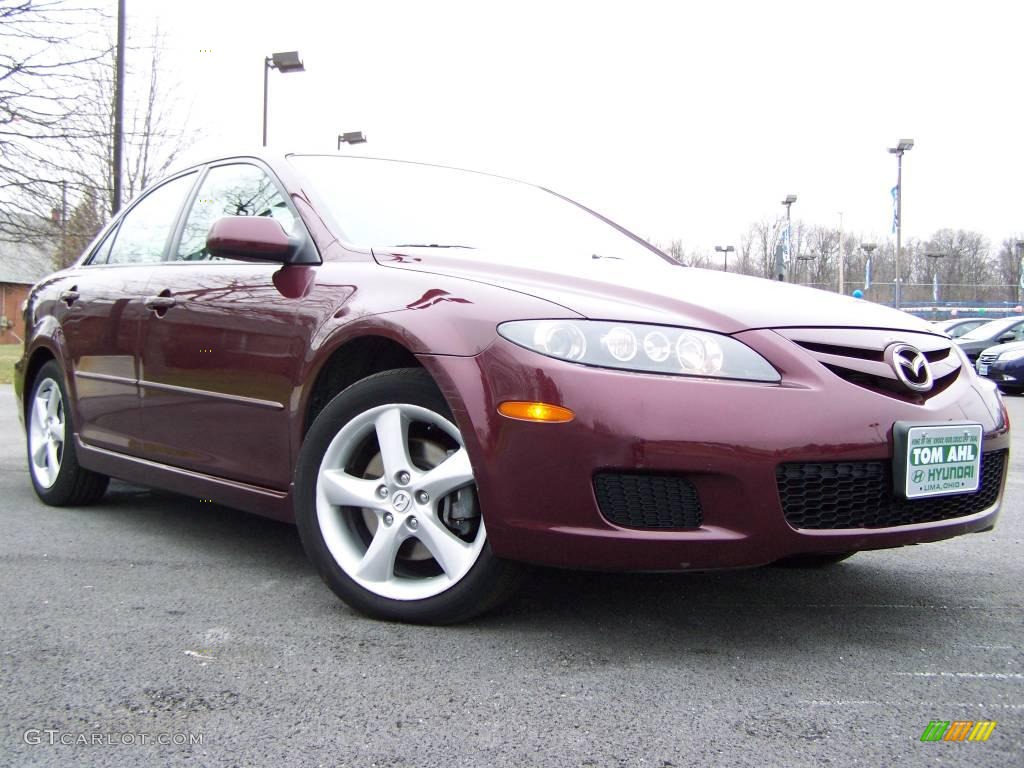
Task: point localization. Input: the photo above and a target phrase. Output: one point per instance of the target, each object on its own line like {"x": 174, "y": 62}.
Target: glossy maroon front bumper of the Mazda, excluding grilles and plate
{"x": 536, "y": 482}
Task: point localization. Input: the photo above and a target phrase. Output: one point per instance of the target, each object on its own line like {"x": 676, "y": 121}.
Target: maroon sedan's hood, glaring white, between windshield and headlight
{"x": 660, "y": 293}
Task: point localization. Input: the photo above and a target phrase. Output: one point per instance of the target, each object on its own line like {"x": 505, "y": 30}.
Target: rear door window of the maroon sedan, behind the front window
{"x": 145, "y": 231}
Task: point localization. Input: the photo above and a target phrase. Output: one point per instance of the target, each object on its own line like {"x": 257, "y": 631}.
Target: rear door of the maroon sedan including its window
{"x": 101, "y": 312}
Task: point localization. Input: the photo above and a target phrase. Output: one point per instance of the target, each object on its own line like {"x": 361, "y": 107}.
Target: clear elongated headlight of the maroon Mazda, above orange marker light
{"x": 632, "y": 347}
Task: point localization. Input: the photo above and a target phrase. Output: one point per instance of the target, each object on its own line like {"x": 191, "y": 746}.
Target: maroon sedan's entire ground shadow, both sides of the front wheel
{"x": 870, "y": 596}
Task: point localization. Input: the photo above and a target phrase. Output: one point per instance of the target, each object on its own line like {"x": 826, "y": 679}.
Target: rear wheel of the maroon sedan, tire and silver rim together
{"x": 54, "y": 467}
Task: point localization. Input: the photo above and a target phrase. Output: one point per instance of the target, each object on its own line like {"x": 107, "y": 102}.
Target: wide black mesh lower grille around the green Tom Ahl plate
{"x": 860, "y": 495}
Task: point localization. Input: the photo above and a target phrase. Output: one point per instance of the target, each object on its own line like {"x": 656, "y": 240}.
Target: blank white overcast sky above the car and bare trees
{"x": 680, "y": 120}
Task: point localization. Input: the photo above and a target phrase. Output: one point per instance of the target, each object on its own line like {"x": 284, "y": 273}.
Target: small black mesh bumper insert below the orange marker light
{"x": 648, "y": 501}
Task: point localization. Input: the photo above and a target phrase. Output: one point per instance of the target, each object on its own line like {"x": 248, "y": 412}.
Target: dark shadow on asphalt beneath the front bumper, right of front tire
{"x": 870, "y": 603}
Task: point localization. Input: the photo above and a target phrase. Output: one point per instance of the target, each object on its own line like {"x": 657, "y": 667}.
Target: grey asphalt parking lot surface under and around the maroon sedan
{"x": 155, "y": 618}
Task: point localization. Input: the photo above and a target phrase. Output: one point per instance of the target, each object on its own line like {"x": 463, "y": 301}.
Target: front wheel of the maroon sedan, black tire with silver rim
{"x": 387, "y": 506}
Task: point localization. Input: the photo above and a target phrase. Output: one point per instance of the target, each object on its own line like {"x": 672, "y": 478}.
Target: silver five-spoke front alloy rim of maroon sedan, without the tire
{"x": 397, "y": 503}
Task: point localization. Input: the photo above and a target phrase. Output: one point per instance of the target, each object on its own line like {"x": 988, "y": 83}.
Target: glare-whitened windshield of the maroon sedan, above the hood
{"x": 390, "y": 204}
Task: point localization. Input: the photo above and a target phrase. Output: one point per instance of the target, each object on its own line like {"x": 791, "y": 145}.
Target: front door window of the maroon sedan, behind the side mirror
{"x": 232, "y": 191}
